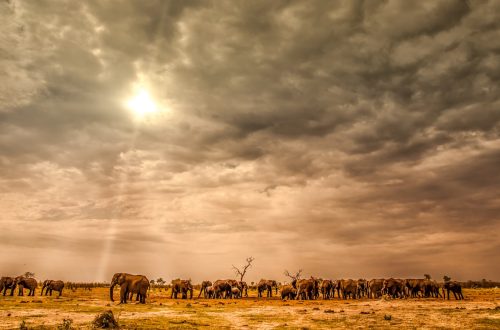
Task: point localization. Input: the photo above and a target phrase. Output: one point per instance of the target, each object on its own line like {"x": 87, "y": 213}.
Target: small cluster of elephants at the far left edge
{"x": 29, "y": 283}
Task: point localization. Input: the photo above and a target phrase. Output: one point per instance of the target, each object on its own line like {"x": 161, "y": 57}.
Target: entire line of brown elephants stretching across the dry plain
{"x": 312, "y": 288}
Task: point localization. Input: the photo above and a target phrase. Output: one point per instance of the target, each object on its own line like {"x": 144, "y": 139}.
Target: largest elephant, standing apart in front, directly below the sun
{"x": 129, "y": 283}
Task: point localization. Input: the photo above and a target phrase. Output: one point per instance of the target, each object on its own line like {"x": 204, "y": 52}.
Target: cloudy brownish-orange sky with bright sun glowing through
{"x": 177, "y": 138}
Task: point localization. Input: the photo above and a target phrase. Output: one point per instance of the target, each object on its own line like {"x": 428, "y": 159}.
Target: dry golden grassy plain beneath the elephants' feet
{"x": 77, "y": 309}
